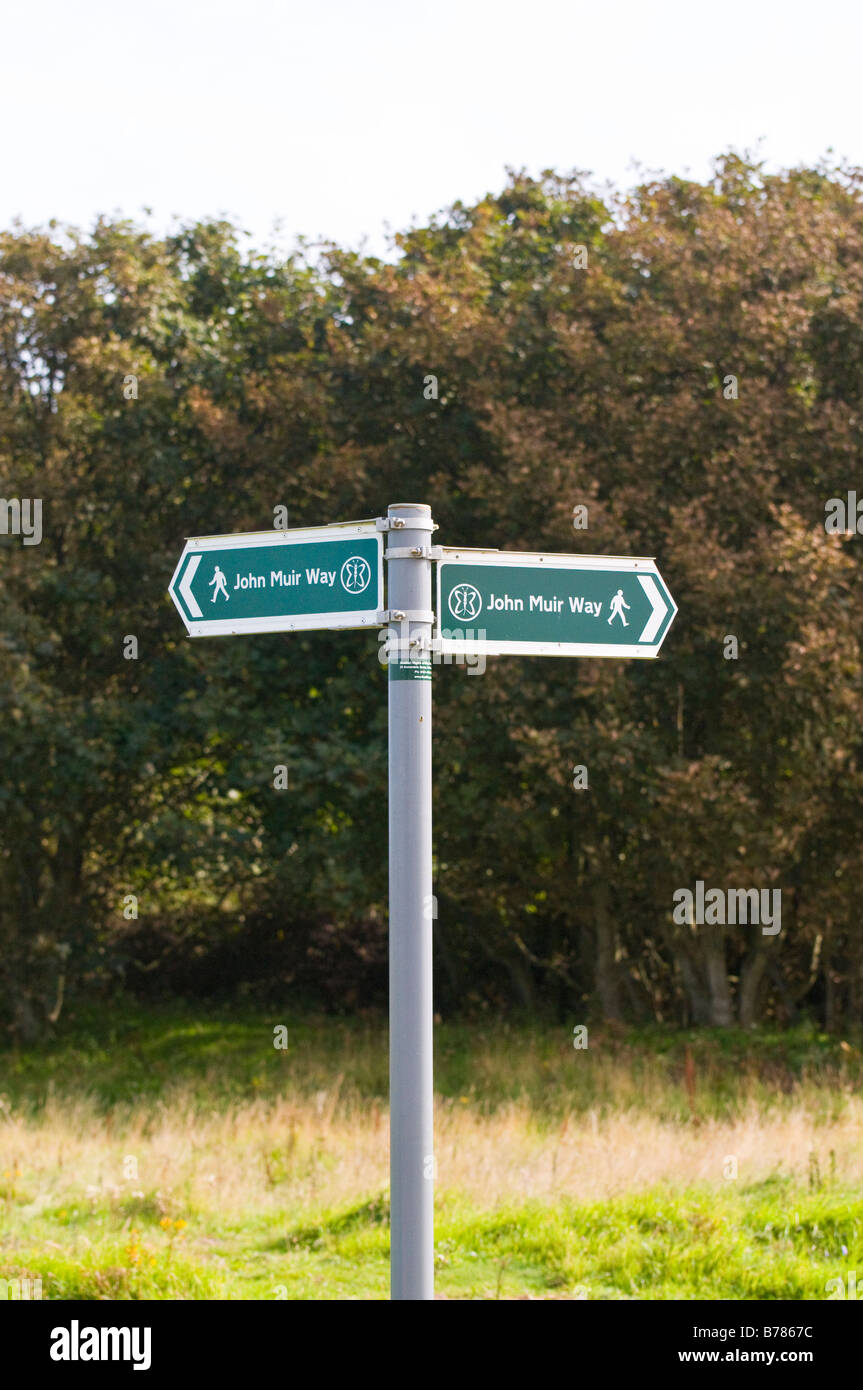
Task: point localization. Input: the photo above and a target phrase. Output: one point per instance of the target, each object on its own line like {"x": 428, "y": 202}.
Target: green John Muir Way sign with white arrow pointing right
{"x": 550, "y": 605}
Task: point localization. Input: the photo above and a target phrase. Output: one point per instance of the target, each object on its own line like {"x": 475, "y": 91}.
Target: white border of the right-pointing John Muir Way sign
{"x": 476, "y": 647}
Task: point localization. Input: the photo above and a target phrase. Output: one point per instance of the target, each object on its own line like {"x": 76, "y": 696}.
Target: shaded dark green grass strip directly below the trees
{"x": 133, "y": 1054}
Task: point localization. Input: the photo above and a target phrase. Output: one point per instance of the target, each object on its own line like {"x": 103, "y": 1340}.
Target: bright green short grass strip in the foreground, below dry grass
{"x": 684, "y": 1246}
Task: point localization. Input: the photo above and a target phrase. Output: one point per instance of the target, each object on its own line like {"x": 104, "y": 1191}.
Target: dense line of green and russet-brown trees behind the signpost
{"x": 676, "y": 370}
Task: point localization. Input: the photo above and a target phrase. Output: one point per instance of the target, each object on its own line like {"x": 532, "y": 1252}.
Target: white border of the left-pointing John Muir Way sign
{"x": 299, "y": 622}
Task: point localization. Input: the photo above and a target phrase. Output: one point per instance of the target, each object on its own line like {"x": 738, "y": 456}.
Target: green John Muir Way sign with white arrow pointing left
{"x": 279, "y": 582}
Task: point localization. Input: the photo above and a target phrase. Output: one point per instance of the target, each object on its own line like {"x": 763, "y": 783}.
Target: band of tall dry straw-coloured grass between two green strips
{"x": 333, "y": 1149}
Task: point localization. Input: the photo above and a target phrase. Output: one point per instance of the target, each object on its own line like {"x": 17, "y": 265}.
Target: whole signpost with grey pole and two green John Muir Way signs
{"x": 488, "y": 601}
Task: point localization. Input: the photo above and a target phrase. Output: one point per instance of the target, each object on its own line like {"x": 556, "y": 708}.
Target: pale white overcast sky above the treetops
{"x": 352, "y": 120}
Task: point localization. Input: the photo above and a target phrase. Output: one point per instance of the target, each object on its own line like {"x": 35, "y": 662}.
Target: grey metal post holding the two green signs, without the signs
{"x": 412, "y": 1163}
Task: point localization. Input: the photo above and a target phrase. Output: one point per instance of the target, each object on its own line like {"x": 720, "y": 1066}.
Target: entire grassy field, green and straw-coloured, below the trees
{"x": 177, "y": 1154}
